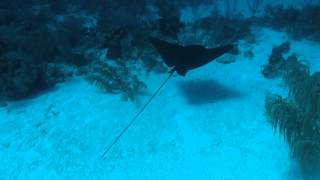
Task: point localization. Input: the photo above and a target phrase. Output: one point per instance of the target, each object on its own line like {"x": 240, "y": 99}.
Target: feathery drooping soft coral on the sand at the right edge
{"x": 297, "y": 117}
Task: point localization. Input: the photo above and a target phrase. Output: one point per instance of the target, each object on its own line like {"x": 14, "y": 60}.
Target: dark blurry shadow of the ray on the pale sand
{"x": 199, "y": 92}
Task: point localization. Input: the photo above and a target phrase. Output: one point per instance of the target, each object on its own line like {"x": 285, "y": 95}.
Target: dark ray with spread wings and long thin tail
{"x": 180, "y": 59}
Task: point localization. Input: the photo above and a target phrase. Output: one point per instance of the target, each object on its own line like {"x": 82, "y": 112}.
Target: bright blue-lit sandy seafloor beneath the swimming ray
{"x": 210, "y": 124}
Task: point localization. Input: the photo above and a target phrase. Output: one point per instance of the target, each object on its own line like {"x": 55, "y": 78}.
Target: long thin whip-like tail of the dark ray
{"x": 124, "y": 130}
